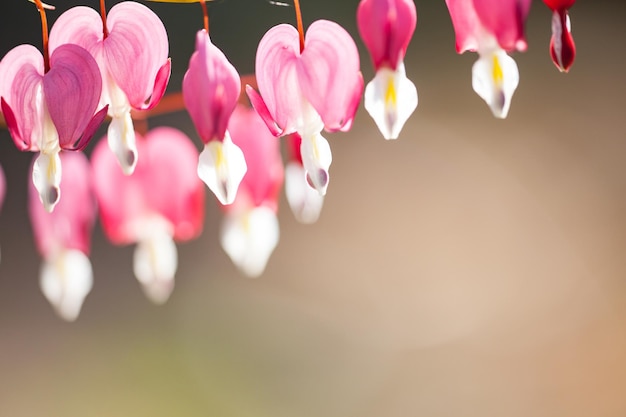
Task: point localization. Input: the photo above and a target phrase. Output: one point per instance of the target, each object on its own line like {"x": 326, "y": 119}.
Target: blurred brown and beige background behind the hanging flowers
{"x": 473, "y": 267}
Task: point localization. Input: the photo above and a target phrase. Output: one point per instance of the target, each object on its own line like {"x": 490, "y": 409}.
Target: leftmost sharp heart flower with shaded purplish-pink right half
{"x": 49, "y": 111}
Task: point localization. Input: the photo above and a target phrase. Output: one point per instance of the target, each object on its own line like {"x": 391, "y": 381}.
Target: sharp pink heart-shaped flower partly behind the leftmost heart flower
{"x": 132, "y": 52}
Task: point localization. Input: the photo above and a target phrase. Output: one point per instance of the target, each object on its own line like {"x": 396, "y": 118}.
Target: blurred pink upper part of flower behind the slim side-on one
{"x": 264, "y": 175}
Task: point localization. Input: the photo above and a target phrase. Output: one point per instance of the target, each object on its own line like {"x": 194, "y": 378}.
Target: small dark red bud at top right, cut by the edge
{"x": 562, "y": 47}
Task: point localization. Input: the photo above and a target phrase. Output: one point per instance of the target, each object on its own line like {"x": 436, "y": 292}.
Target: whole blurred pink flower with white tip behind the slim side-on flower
{"x": 250, "y": 230}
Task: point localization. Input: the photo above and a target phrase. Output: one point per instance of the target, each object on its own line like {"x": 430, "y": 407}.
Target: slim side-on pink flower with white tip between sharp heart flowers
{"x": 211, "y": 88}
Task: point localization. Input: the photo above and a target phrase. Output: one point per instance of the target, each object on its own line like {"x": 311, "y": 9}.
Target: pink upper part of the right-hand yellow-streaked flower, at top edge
{"x": 505, "y": 19}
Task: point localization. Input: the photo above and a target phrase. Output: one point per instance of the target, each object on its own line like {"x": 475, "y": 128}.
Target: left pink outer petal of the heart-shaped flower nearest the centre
{"x": 277, "y": 77}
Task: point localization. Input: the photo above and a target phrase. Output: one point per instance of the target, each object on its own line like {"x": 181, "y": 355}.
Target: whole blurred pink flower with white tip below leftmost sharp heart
{"x": 63, "y": 237}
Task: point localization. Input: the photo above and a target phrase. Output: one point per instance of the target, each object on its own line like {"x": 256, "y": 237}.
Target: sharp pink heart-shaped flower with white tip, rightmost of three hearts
{"x": 306, "y": 88}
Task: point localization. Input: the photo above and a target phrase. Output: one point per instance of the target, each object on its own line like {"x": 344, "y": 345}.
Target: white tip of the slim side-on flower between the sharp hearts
{"x": 222, "y": 166}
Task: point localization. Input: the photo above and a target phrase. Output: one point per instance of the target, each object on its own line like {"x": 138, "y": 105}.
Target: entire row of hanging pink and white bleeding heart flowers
{"x": 148, "y": 187}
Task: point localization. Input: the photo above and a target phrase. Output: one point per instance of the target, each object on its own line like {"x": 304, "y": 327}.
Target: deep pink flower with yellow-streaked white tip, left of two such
{"x": 386, "y": 27}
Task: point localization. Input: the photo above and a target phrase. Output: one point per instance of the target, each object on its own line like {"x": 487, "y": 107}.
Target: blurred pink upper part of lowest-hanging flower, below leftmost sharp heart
{"x": 69, "y": 226}
